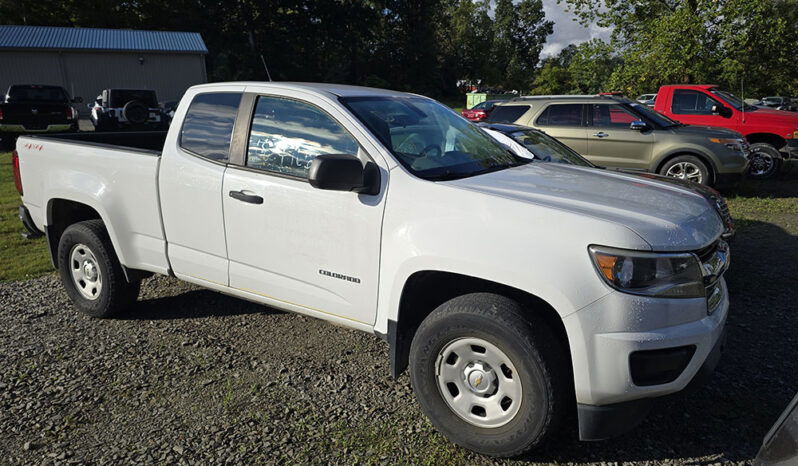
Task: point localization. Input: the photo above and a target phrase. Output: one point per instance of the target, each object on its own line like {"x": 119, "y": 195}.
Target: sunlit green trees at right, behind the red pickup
{"x": 746, "y": 46}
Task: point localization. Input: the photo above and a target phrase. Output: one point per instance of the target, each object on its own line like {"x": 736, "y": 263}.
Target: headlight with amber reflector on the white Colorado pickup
{"x": 665, "y": 275}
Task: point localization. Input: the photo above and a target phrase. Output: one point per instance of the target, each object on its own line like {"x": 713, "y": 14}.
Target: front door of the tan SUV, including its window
{"x": 612, "y": 143}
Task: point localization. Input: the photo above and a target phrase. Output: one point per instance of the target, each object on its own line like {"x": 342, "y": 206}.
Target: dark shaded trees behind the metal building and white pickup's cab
{"x": 424, "y": 46}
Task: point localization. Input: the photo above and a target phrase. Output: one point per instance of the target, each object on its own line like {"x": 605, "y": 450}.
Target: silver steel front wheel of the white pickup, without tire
{"x": 478, "y": 382}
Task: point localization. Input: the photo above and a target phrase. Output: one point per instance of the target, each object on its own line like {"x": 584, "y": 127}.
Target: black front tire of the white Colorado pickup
{"x": 542, "y": 369}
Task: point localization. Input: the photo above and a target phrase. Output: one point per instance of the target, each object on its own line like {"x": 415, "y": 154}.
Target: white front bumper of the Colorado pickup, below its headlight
{"x": 605, "y": 334}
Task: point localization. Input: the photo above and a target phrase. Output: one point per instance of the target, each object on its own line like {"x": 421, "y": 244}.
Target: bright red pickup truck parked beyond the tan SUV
{"x": 773, "y": 134}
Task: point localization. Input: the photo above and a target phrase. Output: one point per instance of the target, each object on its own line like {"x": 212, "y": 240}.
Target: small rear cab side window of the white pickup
{"x": 208, "y": 125}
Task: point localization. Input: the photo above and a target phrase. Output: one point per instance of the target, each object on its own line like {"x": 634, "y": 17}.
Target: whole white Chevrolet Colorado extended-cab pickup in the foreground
{"x": 512, "y": 288}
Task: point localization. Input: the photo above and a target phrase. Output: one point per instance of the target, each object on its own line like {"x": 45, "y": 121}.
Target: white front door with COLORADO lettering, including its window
{"x": 288, "y": 242}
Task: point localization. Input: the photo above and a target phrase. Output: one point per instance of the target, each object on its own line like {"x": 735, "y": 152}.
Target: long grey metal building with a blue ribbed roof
{"x": 85, "y": 61}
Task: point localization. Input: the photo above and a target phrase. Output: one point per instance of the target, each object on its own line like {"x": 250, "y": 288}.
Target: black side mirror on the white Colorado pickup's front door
{"x": 344, "y": 172}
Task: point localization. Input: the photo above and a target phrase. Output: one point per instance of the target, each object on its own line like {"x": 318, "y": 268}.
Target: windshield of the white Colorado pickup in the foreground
{"x": 429, "y": 139}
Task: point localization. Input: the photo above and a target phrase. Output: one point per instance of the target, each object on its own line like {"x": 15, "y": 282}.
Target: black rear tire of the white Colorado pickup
{"x": 115, "y": 294}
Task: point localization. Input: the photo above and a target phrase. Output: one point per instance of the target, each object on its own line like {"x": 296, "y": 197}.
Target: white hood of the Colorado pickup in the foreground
{"x": 667, "y": 216}
